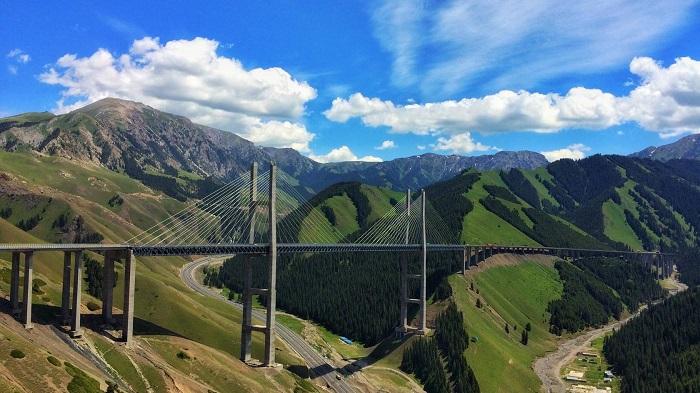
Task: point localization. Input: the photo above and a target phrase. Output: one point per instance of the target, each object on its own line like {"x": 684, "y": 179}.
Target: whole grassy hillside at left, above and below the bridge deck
{"x": 44, "y": 189}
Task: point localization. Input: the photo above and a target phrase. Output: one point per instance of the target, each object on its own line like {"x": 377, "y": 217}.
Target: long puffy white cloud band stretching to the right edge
{"x": 666, "y": 100}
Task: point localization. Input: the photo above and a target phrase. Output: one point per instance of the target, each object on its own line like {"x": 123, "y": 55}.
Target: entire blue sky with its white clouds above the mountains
{"x": 448, "y": 77}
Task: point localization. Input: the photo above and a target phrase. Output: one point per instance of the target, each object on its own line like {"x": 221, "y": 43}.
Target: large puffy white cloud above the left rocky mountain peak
{"x": 189, "y": 78}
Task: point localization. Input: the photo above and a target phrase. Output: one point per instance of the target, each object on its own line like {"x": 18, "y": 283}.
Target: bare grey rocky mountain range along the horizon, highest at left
{"x": 175, "y": 155}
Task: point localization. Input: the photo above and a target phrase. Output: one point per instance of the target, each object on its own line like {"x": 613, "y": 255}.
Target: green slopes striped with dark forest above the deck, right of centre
{"x": 599, "y": 202}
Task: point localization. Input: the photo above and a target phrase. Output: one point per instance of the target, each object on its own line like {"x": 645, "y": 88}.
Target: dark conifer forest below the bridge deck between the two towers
{"x": 352, "y": 294}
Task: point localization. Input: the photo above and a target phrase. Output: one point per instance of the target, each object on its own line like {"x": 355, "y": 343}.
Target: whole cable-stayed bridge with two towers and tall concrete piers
{"x": 267, "y": 215}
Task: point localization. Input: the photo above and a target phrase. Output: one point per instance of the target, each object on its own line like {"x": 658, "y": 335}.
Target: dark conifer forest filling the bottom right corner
{"x": 659, "y": 351}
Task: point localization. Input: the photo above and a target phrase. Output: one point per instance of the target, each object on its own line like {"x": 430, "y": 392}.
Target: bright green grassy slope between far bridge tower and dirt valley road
{"x": 517, "y": 295}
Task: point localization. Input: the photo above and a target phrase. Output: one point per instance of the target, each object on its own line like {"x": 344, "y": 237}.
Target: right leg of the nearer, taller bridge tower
{"x": 272, "y": 272}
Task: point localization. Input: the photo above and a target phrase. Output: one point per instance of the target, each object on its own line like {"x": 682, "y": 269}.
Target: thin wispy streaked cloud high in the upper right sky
{"x": 448, "y": 46}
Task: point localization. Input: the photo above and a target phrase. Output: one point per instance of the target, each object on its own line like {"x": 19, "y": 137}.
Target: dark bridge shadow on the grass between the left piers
{"x": 50, "y": 315}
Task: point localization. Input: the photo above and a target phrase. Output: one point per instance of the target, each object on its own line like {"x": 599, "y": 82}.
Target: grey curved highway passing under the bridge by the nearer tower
{"x": 312, "y": 358}
